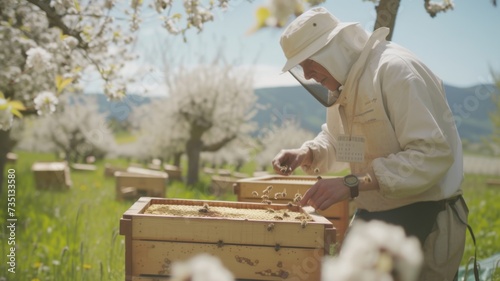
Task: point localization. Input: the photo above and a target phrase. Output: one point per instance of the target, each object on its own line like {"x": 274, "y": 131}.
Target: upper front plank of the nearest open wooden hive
{"x": 213, "y": 230}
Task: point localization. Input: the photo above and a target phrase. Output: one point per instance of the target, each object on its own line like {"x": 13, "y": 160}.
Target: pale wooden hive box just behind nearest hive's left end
{"x": 135, "y": 185}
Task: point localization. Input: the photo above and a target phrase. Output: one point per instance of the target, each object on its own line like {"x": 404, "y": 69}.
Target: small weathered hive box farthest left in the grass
{"x": 51, "y": 175}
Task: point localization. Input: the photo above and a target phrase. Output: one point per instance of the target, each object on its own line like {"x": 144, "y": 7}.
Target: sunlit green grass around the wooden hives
{"x": 73, "y": 234}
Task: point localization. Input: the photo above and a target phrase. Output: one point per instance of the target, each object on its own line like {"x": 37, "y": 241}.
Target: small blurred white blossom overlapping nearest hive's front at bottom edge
{"x": 202, "y": 267}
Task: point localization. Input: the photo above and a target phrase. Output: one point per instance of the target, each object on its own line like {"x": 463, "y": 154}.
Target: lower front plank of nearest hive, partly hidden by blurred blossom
{"x": 155, "y": 258}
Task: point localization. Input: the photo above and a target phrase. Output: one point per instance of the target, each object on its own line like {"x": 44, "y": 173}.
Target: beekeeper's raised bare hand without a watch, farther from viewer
{"x": 287, "y": 160}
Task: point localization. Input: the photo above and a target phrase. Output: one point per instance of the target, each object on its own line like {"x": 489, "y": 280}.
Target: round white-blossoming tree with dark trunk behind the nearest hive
{"x": 208, "y": 107}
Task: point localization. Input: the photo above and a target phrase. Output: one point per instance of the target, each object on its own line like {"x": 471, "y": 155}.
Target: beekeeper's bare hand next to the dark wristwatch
{"x": 325, "y": 192}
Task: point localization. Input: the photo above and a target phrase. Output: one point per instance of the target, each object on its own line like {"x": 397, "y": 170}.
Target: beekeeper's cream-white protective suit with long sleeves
{"x": 412, "y": 145}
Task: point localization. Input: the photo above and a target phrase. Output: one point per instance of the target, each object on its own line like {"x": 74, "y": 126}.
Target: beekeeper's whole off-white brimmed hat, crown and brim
{"x": 309, "y": 33}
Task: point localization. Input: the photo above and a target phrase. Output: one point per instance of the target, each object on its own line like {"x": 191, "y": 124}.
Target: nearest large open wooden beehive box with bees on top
{"x": 252, "y": 249}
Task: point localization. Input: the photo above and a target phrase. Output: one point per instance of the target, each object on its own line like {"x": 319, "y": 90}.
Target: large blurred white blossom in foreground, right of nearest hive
{"x": 375, "y": 251}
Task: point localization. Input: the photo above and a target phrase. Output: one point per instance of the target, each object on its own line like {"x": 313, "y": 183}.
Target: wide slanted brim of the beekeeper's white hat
{"x": 314, "y": 47}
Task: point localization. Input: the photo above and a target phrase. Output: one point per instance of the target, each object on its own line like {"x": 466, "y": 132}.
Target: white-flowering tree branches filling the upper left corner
{"x": 48, "y": 46}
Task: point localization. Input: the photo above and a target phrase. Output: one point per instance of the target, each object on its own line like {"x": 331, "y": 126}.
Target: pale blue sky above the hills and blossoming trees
{"x": 461, "y": 46}
